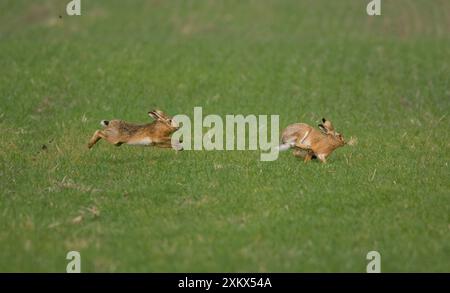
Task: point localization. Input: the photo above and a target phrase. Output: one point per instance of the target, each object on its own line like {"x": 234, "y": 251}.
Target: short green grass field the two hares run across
{"x": 383, "y": 80}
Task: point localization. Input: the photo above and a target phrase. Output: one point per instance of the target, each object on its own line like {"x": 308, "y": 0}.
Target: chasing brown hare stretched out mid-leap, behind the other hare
{"x": 158, "y": 133}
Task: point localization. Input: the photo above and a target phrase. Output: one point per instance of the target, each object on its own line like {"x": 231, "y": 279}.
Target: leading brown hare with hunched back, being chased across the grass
{"x": 308, "y": 142}
